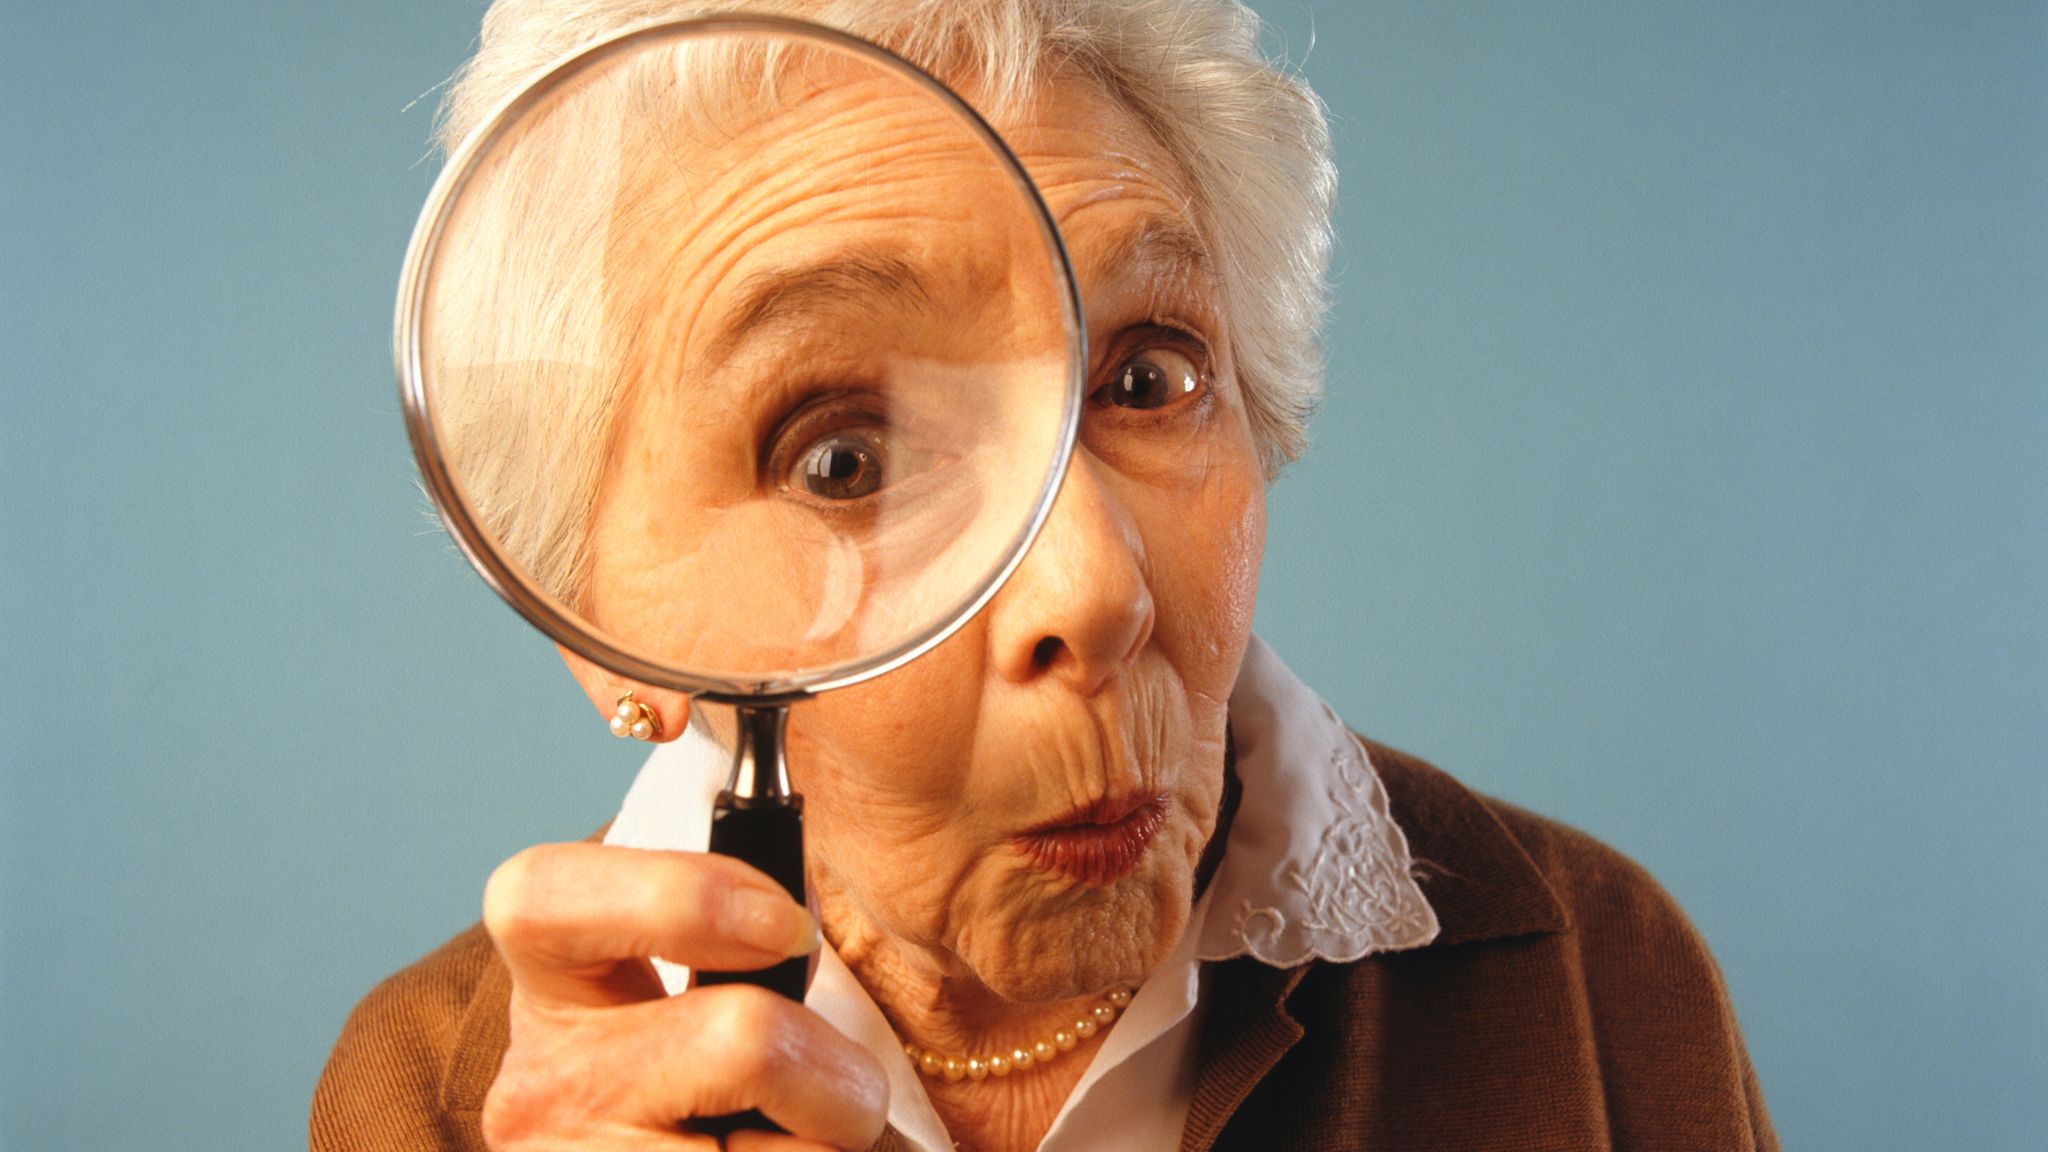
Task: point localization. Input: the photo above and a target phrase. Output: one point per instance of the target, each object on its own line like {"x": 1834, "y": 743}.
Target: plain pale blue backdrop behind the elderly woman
{"x": 1682, "y": 477}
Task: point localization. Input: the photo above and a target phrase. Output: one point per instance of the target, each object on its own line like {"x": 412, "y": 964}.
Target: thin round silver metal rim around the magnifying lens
{"x": 447, "y": 495}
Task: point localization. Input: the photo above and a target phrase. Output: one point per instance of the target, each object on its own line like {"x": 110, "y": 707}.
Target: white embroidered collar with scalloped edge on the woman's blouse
{"x": 1316, "y": 864}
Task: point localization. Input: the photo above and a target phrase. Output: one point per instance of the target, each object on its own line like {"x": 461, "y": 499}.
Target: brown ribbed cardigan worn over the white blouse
{"x": 1568, "y": 1005}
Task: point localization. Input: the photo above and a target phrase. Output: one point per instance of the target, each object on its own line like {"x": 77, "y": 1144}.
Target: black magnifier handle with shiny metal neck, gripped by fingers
{"x": 759, "y": 821}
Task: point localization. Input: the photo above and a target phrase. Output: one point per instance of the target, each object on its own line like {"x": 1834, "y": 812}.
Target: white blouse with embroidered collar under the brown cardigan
{"x": 1314, "y": 868}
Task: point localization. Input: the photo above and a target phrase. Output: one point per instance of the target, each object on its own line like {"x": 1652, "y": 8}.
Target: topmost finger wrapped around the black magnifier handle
{"x": 574, "y": 923}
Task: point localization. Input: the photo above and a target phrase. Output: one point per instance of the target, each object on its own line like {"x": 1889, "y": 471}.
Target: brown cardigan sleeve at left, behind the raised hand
{"x": 407, "y": 1069}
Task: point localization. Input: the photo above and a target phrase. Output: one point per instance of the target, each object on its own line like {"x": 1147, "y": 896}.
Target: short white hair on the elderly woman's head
{"x": 1248, "y": 134}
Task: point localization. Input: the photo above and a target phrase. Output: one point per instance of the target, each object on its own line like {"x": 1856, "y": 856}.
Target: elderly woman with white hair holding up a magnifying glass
{"x": 1127, "y": 882}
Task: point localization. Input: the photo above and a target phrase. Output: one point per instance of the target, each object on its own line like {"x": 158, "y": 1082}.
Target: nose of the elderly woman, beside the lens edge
{"x": 1080, "y": 606}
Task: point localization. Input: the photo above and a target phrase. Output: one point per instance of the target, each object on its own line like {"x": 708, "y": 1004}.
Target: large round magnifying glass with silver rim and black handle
{"x": 742, "y": 360}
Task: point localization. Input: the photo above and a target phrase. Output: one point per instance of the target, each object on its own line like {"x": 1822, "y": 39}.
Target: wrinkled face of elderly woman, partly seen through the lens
{"x": 1027, "y": 803}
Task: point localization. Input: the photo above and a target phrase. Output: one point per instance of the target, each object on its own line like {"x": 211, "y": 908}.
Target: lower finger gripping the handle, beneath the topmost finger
{"x": 736, "y": 1048}
